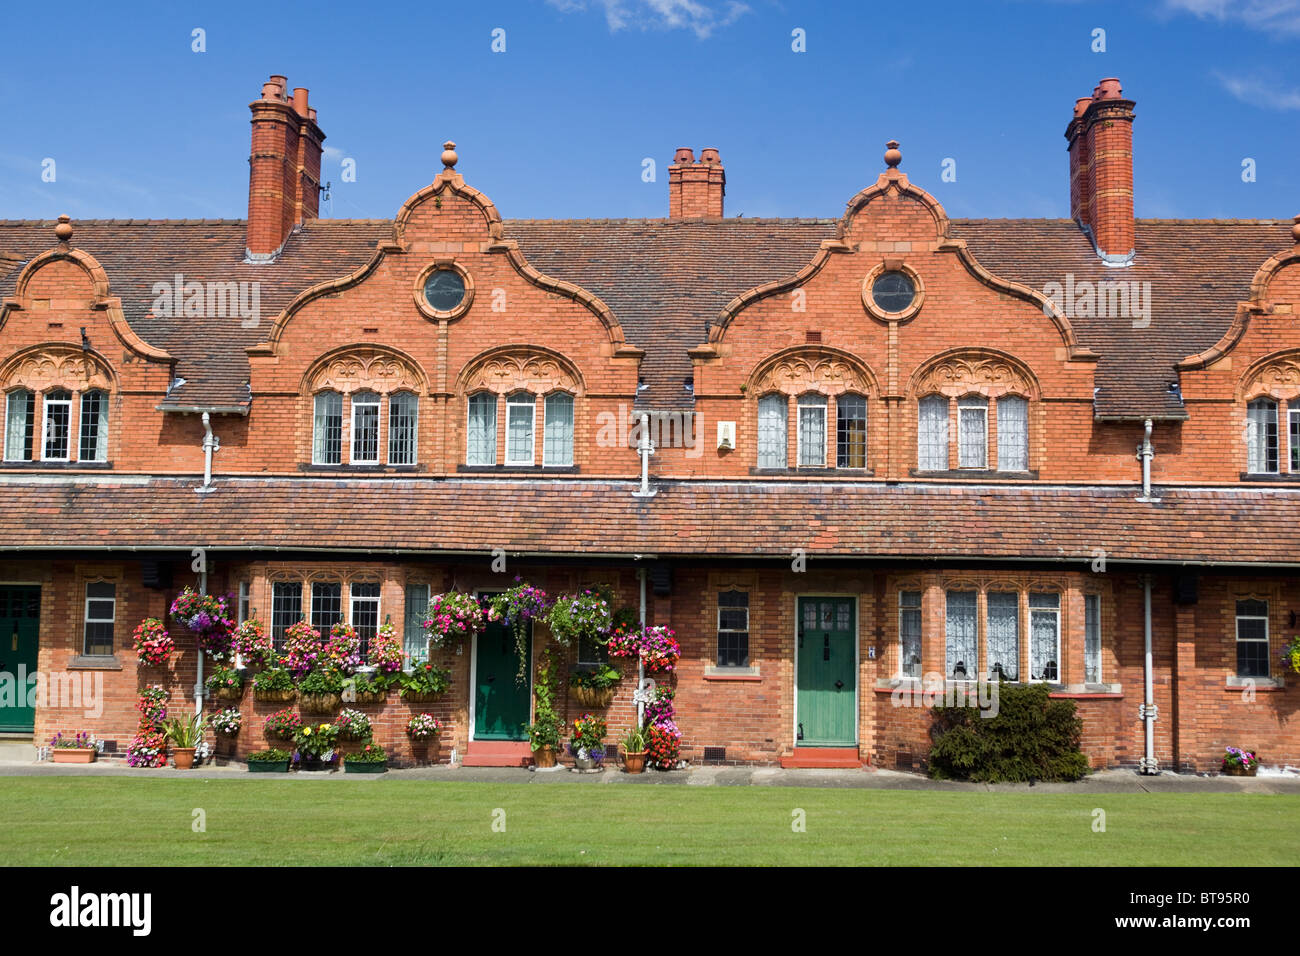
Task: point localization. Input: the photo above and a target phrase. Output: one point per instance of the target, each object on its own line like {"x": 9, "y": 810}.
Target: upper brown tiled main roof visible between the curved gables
{"x": 668, "y": 280}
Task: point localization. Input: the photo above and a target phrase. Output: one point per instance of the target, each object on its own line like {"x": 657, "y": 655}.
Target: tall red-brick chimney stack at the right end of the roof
{"x": 1102, "y": 170}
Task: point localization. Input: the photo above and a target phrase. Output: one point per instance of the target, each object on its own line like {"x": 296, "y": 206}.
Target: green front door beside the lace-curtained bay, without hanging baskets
{"x": 827, "y": 673}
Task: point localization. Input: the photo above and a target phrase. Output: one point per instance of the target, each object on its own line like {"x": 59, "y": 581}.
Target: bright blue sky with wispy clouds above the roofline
{"x": 558, "y": 124}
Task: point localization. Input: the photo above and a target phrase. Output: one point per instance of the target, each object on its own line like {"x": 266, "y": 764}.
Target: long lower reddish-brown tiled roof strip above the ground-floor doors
{"x": 703, "y": 520}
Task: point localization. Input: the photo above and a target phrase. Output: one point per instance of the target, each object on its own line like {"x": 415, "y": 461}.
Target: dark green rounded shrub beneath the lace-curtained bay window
{"x": 1033, "y": 738}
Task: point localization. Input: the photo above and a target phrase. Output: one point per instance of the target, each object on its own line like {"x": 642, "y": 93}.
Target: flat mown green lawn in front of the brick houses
{"x": 114, "y": 821}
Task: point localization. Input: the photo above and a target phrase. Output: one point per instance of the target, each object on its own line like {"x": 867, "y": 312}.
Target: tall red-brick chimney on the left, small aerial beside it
{"x": 284, "y": 167}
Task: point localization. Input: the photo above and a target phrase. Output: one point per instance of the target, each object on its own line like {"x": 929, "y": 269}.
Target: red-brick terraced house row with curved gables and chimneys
{"x": 892, "y": 451}
